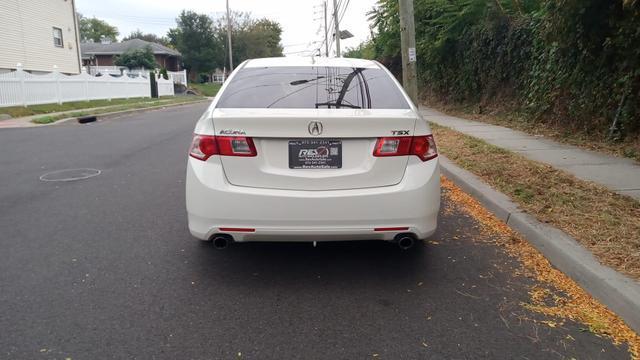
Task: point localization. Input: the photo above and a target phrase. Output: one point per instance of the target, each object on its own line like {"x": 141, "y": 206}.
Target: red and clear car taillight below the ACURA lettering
{"x": 204, "y": 146}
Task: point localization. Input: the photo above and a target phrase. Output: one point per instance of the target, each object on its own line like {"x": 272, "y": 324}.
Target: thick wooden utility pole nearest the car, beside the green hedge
{"x": 408, "y": 46}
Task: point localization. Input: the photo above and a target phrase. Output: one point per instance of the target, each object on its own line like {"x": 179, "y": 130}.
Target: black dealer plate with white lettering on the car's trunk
{"x": 315, "y": 154}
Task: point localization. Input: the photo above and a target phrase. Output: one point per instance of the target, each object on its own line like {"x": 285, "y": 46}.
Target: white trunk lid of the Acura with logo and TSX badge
{"x": 282, "y": 135}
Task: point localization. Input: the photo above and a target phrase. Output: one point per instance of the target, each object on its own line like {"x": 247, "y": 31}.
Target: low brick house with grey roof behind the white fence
{"x": 101, "y": 54}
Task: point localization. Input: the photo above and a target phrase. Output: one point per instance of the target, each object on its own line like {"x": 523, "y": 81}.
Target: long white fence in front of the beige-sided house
{"x": 22, "y": 88}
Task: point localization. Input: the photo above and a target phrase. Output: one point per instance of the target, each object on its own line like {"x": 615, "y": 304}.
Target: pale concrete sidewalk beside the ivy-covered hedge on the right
{"x": 617, "y": 174}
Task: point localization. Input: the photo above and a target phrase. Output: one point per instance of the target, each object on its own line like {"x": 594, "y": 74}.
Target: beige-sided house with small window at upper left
{"x": 39, "y": 34}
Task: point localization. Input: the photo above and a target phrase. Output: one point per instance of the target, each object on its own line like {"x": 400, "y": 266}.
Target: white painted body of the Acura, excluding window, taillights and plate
{"x": 260, "y": 198}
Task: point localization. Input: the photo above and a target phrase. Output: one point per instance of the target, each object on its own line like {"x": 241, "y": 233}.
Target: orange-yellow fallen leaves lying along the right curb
{"x": 556, "y": 295}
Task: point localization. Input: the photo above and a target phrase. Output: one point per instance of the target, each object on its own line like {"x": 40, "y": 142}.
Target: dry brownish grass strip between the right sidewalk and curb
{"x": 604, "y": 222}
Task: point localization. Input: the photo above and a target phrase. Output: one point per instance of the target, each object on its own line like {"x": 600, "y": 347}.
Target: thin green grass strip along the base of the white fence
{"x": 20, "y": 111}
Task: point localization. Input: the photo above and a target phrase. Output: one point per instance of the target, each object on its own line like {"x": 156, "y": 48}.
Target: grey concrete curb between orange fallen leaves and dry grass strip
{"x": 618, "y": 292}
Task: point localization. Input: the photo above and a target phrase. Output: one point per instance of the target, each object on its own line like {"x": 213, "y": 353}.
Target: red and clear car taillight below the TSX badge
{"x": 423, "y": 147}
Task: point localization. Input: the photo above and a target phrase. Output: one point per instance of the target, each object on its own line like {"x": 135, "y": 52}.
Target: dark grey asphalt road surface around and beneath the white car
{"x": 105, "y": 268}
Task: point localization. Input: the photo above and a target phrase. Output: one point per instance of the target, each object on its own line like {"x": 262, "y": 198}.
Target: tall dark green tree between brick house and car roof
{"x": 196, "y": 40}
